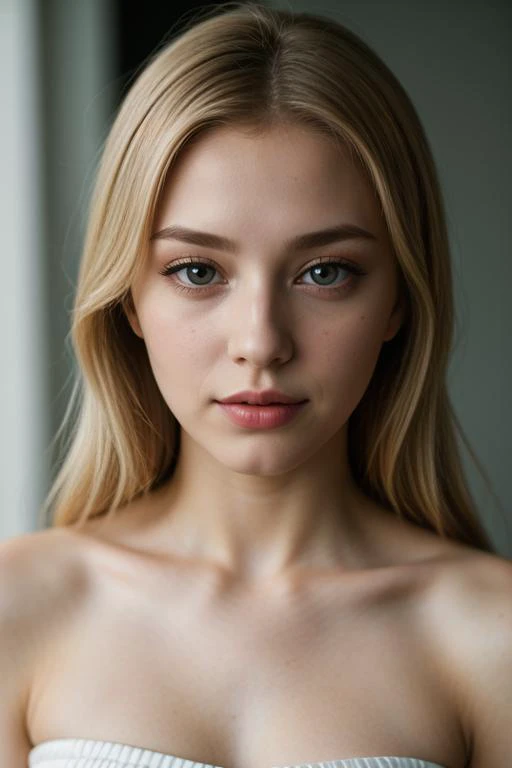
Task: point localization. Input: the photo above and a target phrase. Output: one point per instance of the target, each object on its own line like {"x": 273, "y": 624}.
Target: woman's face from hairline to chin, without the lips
{"x": 256, "y": 311}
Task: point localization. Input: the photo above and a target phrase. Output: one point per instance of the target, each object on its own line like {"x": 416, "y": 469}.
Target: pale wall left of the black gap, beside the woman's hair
{"x": 55, "y": 70}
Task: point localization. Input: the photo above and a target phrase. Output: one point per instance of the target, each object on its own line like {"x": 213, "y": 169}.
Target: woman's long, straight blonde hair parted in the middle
{"x": 253, "y": 66}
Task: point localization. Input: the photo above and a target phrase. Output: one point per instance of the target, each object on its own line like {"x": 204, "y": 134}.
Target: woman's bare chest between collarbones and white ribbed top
{"x": 245, "y": 681}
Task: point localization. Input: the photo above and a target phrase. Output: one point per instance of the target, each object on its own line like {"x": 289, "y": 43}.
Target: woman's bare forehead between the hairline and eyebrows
{"x": 284, "y": 172}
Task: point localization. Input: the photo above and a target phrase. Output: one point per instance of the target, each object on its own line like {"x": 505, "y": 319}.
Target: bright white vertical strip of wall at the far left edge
{"x": 23, "y": 393}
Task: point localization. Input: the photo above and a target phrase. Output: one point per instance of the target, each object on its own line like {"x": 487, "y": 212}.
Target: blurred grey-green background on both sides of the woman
{"x": 64, "y": 66}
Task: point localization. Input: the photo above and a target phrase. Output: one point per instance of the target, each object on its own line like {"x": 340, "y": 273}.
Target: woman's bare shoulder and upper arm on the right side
{"x": 473, "y": 608}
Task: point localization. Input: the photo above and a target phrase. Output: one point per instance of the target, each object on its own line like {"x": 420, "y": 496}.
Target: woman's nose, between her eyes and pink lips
{"x": 259, "y": 332}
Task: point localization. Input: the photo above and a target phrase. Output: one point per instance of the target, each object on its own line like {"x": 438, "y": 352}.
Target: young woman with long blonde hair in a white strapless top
{"x": 263, "y": 551}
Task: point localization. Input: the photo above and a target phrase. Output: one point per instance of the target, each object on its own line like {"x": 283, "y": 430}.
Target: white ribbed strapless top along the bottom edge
{"x": 89, "y": 753}
